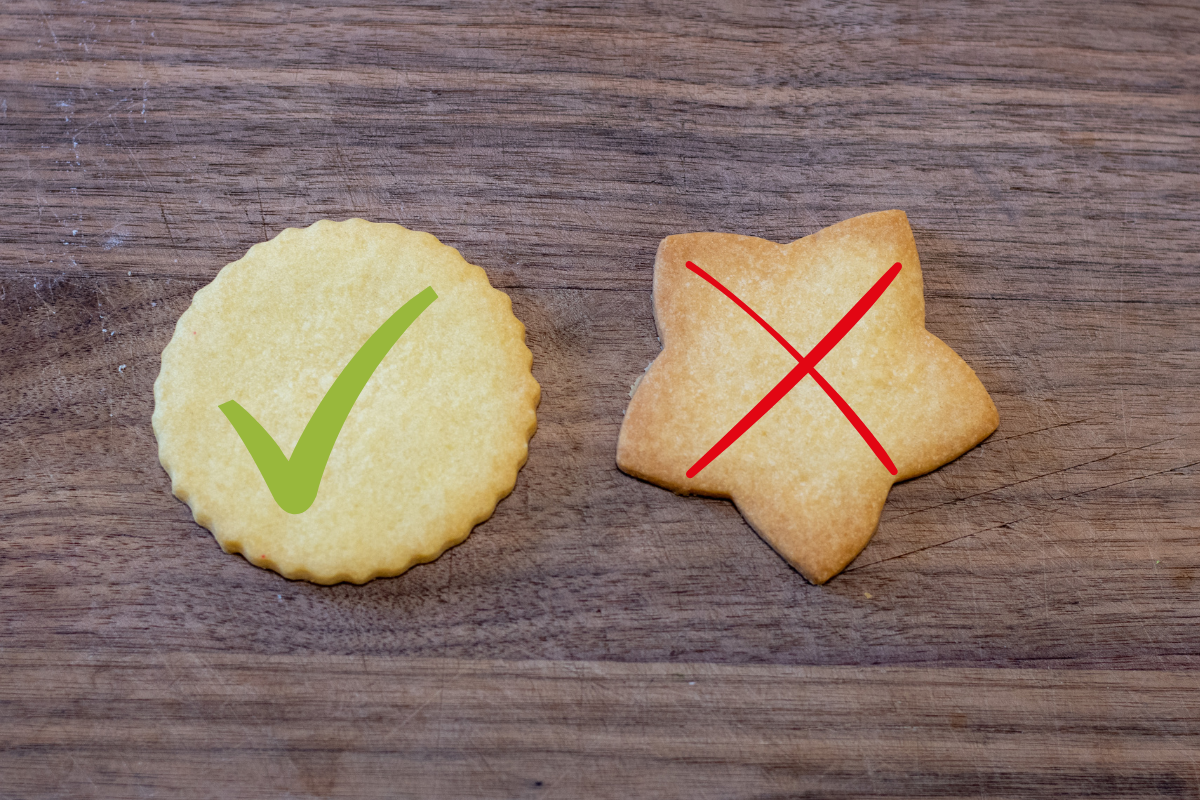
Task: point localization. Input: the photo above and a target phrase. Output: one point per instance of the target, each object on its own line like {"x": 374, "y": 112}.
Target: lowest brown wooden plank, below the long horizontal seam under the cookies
{"x": 477, "y": 729}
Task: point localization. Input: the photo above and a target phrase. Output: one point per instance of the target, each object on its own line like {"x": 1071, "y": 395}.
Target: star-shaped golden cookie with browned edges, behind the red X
{"x": 803, "y": 478}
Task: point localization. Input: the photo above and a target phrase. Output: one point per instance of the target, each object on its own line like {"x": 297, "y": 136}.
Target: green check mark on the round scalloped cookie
{"x": 295, "y": 482}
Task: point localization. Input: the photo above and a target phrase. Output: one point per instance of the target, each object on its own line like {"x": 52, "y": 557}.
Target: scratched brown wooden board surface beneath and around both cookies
{"x": 1025, "y": 621}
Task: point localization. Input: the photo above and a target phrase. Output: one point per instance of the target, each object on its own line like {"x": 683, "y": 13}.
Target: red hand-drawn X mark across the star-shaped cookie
{"x": 807, "y": 366}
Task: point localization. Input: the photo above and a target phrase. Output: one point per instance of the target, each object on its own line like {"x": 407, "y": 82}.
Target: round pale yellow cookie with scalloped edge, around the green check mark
{"x": 433, "y": 443}
